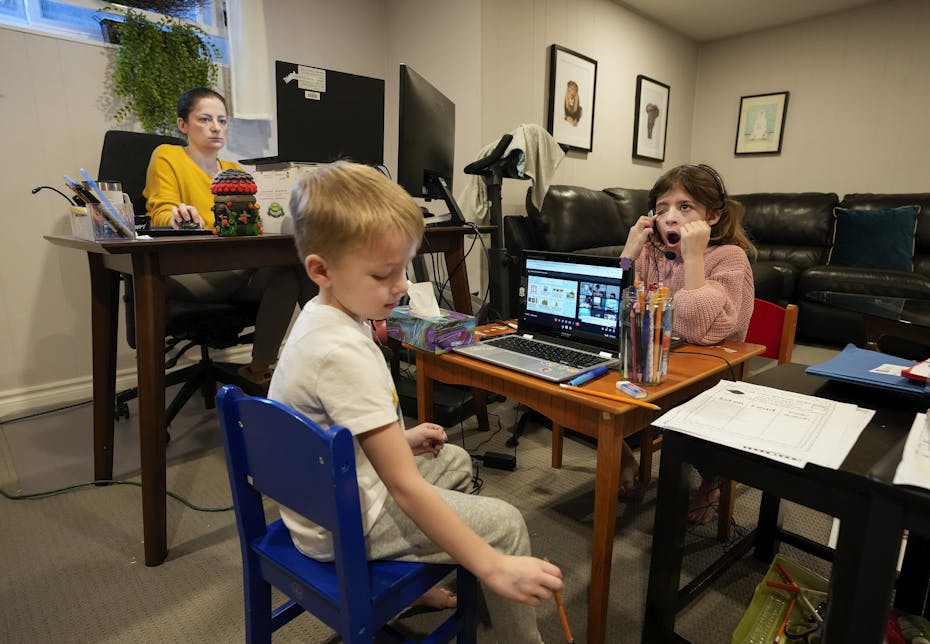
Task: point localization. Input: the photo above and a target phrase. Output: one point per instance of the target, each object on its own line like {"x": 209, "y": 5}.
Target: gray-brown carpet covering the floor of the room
{"x": 72, "y": 563}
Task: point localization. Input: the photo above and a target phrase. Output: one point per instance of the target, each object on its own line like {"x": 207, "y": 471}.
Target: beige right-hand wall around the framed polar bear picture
{"x": 856, "y": 119}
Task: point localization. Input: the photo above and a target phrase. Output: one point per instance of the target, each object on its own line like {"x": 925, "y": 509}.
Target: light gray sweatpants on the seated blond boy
{"x": 395, "y": 536}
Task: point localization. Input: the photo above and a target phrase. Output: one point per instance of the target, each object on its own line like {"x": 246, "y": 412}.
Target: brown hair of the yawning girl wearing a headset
{"x": 705, "y": 185}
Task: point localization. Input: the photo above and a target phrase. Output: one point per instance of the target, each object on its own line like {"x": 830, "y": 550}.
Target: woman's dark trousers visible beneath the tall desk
{"x": 276, "y": 290}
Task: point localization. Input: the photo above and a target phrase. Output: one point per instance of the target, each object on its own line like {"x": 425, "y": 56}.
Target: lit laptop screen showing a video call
{"x": 574, "y": 297}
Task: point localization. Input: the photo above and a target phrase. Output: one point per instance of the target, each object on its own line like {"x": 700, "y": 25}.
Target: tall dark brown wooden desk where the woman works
{"x": 150, "y": 261}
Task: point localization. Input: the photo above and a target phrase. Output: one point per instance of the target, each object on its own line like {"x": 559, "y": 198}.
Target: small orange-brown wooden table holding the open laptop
{"x": 689, "y": 373}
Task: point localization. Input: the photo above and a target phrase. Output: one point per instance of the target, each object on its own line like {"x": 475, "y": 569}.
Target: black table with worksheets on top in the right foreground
{"x": 863, "y": 563}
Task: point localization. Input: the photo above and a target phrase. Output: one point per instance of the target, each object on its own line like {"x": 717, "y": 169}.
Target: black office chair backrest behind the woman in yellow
{"x": 125, "y": 158}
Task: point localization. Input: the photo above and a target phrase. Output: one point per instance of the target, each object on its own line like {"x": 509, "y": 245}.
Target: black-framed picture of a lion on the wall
{"x": 572, "y": 80}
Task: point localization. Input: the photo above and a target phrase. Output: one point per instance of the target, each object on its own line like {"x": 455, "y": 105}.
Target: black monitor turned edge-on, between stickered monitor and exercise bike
{"x": 426, "y": 142}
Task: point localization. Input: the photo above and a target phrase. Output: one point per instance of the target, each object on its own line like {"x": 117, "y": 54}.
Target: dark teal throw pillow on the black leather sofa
{"x": 874, "y": 238}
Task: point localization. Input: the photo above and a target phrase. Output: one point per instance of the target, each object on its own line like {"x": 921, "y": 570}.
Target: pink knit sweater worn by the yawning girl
{"x": 717, "y": 311}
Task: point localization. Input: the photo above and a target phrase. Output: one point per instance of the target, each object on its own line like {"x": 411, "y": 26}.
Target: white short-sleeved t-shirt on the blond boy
{"x": 332, "y": 371}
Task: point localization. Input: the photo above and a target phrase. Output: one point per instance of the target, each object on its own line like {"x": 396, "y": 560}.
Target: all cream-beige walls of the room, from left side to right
{"x": 857, "y": 82}
